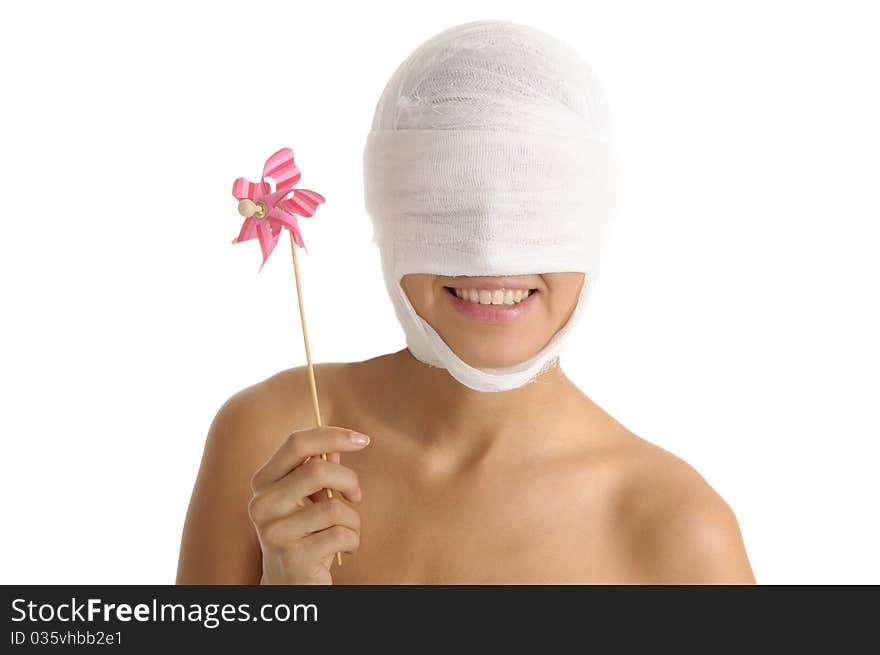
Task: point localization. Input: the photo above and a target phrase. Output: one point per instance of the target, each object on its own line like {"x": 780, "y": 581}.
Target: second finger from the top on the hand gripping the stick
{"x": 288, "y": 495}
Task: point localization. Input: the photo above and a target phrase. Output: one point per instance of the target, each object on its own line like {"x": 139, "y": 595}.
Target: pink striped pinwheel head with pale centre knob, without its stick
{"x": 266, "y": 212}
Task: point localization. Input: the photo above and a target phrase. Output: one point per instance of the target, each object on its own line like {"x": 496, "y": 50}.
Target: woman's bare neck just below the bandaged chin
{"x": 447, "y": 416}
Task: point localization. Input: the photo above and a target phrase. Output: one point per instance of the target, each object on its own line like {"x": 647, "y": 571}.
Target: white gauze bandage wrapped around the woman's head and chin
{"x": 489, "y": 154}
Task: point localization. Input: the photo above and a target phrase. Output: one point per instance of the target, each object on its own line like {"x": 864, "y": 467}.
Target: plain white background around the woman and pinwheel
{"x": 735, "y": 325}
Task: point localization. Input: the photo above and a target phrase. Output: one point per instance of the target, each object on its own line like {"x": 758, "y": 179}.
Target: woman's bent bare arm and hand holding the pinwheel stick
{"x": 269, "y": 424}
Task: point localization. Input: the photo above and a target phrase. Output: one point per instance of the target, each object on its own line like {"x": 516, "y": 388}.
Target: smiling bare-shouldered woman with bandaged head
{"x": 468, "y": 456}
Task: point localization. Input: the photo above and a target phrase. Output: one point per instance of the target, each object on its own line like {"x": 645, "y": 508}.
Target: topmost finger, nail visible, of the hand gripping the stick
{"x": 303, "y": 444}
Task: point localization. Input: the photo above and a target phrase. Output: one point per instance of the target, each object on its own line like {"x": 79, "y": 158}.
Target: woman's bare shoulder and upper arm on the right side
{"x": 678, "y": 529}
